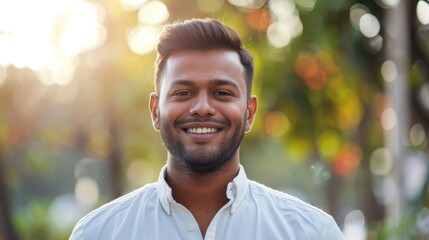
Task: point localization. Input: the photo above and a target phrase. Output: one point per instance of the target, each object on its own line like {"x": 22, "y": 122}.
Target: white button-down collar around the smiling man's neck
{"x": 235, "y": 191}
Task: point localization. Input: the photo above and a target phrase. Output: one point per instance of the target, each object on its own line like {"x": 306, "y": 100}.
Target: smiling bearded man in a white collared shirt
{"x": 203, "y": 107}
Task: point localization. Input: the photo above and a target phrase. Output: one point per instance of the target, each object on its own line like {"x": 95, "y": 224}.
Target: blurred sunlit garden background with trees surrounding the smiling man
{"x": 342, "y": 122}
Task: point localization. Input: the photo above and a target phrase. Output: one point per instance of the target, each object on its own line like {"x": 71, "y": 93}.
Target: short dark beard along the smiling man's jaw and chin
{"x": 201, "y": 161}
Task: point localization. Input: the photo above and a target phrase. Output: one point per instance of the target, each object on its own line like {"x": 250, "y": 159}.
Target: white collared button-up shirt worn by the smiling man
{"x": 253, "y": 211}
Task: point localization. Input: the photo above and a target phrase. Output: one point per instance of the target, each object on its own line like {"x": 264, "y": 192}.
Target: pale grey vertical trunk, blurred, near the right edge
{"x": 397, "y": 50}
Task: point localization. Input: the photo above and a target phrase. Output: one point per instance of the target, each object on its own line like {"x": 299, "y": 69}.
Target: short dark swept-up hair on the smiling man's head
{"x": 200, "y": 34}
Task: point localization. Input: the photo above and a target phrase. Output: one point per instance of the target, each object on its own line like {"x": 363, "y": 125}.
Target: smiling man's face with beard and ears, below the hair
{"x": 202, "y": 109}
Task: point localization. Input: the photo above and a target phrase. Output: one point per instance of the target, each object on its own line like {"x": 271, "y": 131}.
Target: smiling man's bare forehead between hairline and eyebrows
{"x": 202, "y": 65}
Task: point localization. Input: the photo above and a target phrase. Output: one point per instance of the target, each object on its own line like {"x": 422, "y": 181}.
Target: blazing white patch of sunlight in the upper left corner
{"x": 41, "y": 34}
